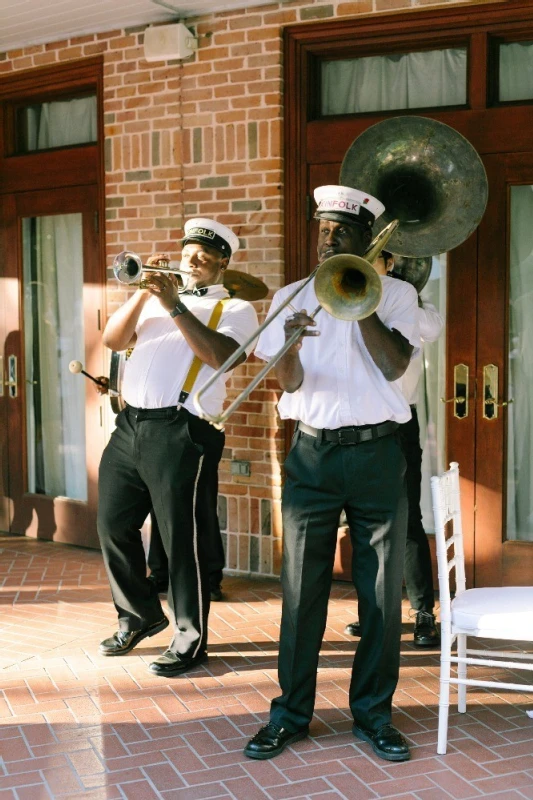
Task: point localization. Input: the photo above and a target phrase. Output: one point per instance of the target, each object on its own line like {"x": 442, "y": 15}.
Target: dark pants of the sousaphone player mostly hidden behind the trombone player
{"x": 417, "y": 566}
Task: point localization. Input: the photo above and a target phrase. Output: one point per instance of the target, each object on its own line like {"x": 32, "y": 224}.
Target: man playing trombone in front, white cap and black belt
{"x": 338, "y": 385}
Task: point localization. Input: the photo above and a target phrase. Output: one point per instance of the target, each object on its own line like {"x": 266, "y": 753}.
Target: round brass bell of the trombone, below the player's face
{"x": 348, "y": 287}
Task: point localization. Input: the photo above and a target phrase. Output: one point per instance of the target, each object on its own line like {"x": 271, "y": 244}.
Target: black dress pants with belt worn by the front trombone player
{"x": 368, "y": 480}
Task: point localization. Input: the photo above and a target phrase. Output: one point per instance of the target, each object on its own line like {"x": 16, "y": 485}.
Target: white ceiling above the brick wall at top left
{"x": 26, "y": 22}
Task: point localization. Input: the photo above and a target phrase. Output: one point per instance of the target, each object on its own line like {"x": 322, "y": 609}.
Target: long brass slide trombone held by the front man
{"x": 347, "y": 286}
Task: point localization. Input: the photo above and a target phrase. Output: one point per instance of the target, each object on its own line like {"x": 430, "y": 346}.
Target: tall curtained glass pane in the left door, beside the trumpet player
{"x": 54, "y": 336}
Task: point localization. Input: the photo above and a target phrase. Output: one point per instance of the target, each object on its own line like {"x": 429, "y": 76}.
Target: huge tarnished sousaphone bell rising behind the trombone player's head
{"x": 427, "y": 175}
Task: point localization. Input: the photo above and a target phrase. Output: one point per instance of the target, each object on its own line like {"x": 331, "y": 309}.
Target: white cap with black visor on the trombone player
{"x": 344, "y": 204}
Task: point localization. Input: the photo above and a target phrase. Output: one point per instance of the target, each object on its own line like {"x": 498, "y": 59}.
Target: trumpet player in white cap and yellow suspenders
{"x": 154, "y": 457}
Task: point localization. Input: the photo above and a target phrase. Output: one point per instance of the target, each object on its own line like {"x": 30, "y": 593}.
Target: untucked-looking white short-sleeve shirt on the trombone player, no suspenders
{"x": 342, "y": 385}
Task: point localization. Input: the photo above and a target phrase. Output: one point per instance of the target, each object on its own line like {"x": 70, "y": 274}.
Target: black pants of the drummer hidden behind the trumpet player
{"x": 206, "y": 521}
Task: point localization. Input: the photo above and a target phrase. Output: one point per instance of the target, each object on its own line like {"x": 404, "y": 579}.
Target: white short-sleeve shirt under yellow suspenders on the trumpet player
{"x": 156, "y": 370}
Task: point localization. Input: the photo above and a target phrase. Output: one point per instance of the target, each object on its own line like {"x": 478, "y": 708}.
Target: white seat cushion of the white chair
{"x": 500, "y": 612}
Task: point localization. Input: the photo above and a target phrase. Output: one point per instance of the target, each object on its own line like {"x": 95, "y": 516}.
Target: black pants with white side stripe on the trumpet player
{"x": 153, "y": 460}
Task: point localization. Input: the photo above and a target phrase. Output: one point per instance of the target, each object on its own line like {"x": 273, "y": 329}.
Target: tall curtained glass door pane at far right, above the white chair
{"x": 520, "y": 368}
